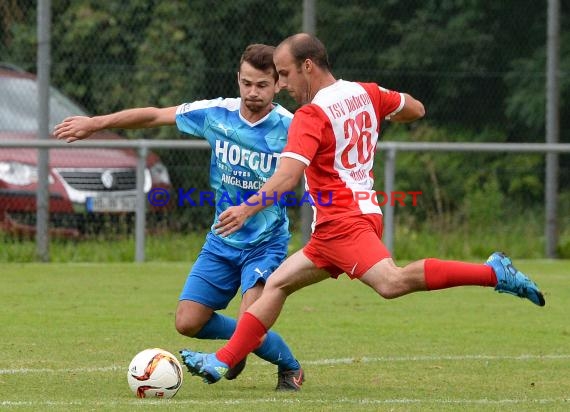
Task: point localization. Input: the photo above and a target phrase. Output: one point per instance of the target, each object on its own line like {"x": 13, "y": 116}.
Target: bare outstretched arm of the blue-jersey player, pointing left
{"x": 81, "y": 127}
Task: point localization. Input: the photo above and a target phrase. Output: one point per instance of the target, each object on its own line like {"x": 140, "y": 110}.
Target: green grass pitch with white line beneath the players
{"x": 69, "y": 331}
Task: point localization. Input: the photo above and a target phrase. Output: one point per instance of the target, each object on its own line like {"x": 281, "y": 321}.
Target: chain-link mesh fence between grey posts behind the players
{"x": 478, "y": 67}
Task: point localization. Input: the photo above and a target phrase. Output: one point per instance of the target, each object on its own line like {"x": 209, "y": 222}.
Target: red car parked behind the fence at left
{"x": 84, "y": 184}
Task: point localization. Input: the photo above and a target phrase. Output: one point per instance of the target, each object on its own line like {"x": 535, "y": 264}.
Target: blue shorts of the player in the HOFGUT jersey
{"x": 220, "y": 270}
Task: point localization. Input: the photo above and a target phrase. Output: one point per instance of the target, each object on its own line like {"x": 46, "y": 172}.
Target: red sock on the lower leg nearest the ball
{"x": 246, "y": 338}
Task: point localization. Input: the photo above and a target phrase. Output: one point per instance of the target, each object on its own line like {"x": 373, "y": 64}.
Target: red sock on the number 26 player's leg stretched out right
{"x": 442, "y": 274}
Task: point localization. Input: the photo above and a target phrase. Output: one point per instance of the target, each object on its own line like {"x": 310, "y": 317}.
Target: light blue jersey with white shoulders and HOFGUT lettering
{"x": 244, "y": 156}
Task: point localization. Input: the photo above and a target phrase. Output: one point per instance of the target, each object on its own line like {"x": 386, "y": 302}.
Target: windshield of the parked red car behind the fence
{"x": 19, "y": 106}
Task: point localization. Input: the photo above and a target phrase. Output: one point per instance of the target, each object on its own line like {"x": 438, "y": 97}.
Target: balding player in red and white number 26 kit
{"x": 332, "y": 140}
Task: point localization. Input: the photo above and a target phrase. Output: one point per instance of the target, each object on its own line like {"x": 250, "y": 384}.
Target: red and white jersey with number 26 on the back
{"x": 335, "y": 136}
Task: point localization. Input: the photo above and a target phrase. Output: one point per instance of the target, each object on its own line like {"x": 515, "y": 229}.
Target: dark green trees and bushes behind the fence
{"x": 478, "y": 66}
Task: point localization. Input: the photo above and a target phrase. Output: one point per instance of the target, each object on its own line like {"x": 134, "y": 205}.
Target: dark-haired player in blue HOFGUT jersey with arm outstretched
{"x": 246, "y": 135}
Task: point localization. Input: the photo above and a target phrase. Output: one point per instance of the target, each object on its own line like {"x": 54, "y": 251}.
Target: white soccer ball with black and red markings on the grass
{"x": 155, "y": 373}
